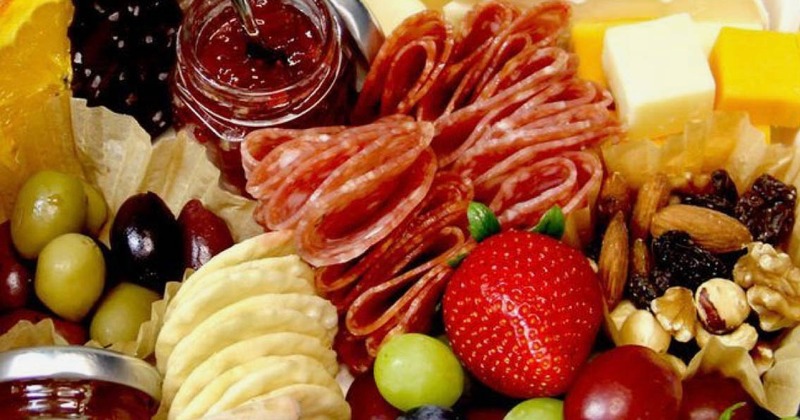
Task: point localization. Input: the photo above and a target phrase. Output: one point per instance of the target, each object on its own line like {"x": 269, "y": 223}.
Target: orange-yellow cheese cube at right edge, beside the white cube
{"x": 758, "y": 72}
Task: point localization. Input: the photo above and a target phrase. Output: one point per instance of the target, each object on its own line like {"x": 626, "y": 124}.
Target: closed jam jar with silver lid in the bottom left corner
{"x": 76, "y": 383}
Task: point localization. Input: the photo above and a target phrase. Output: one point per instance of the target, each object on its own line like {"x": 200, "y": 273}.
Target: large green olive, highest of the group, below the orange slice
{"x": 49, "y": 205}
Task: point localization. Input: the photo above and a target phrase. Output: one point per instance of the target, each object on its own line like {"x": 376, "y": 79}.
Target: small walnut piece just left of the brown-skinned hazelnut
{"x": 675, "y": 312}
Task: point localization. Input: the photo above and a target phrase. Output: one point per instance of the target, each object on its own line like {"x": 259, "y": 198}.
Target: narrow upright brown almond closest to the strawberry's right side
{"x": 613, "y": 261}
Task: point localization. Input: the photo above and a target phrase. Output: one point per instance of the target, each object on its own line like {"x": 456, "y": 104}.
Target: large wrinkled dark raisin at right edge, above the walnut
{"x": 767, "y": 209}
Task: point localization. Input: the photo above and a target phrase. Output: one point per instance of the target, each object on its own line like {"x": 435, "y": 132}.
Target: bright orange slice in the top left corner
{"x": 35, "y": 126}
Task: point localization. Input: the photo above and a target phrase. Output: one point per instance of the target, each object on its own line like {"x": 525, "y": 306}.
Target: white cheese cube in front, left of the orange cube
{"x": 658, "y": 75}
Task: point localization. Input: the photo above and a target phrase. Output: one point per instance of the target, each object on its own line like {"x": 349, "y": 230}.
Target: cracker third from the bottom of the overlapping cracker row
{"x": 280, "y": 370}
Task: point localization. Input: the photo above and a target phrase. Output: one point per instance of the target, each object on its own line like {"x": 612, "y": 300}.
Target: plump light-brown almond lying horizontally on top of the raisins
{"x": 715, "y": 231}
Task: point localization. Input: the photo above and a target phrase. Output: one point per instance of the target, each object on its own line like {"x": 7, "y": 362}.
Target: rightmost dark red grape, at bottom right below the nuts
{"x": 706, "y": 397}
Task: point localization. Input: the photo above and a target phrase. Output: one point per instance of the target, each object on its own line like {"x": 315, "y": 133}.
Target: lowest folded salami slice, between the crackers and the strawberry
{"x": 395, "y": 286}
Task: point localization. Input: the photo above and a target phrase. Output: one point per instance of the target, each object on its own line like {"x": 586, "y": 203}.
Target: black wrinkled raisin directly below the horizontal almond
{"x": 685, "y": 263}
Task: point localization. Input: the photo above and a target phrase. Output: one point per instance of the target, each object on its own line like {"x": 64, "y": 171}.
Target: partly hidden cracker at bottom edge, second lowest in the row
{"x": 316, "y": 402}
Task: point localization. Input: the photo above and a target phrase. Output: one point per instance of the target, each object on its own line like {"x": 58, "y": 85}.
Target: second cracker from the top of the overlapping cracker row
{"x": 228, "y": 286}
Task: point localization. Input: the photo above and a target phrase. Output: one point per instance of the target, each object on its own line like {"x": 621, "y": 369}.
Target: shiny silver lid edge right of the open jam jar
{"x": 361, "y": 25}
